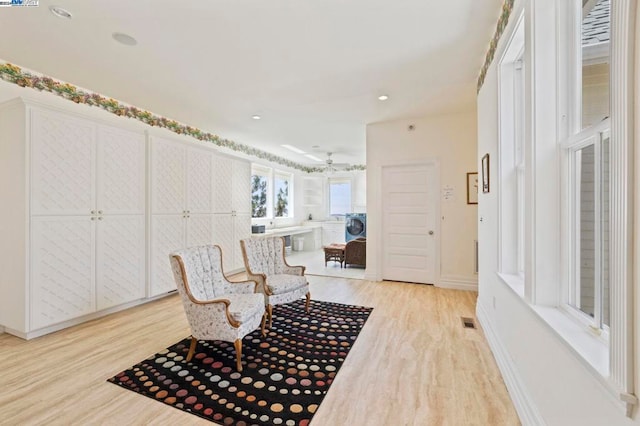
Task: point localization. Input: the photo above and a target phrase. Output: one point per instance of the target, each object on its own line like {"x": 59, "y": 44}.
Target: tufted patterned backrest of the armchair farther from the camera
{"x": 264, "y": 255}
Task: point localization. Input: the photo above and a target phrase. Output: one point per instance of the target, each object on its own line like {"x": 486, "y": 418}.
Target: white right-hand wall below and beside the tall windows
{"x": 547, "y": 380}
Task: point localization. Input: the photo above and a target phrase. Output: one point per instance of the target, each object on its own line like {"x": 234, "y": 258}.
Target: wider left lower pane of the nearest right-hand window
{"x": 586, "y": 213}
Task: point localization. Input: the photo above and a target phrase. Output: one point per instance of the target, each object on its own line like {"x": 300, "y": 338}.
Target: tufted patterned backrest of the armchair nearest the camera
{"x": 203, "y": 271}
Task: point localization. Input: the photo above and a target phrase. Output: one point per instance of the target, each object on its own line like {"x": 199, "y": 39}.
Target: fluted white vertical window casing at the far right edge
{"x": 622, "y": 193}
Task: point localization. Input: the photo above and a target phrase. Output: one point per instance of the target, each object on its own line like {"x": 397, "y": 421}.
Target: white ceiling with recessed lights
{"x": 313, "y": 69}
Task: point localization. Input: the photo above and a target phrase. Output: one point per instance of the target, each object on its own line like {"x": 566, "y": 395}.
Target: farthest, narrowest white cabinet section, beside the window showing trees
{"x": 232, "y": 221}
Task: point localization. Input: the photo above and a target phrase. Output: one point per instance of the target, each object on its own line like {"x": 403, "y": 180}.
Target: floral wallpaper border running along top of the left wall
{"x": 17, "y": 75}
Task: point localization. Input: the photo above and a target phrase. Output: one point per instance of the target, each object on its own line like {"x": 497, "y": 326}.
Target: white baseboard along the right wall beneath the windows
{"x": 525, "y": 407}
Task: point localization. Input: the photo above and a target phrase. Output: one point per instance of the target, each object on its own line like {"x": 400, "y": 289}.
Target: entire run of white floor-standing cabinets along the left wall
{"x": 78, "y": 197}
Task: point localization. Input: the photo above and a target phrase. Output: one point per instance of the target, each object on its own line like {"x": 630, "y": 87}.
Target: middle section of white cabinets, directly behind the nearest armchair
{"x": 182, "y": 205}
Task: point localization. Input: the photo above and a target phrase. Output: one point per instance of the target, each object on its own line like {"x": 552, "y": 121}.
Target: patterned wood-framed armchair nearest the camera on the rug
{"x": 216, "y": 308}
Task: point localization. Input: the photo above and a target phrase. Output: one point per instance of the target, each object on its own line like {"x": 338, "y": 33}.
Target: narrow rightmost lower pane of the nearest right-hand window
{"x": 604, "y": 230}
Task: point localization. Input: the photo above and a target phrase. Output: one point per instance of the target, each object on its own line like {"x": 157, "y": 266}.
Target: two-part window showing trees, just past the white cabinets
{"x": 271, "y": 193}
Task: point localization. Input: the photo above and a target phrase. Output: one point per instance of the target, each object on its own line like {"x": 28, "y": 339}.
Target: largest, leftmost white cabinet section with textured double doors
{"x": 83, "y": 231}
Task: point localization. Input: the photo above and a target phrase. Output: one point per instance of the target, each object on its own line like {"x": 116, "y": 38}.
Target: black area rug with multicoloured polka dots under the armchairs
{"x": 285, "y": 376}
